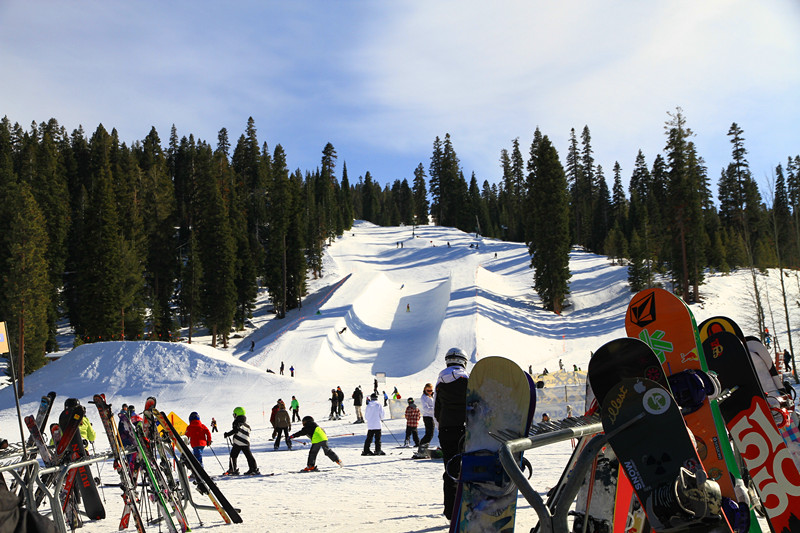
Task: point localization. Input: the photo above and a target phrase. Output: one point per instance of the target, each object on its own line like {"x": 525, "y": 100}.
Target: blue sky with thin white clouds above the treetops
{"x": 380, "y": 80}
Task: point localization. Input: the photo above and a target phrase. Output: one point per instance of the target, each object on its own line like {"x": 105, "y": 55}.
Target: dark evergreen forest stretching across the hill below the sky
{"x": 141, "y": 241}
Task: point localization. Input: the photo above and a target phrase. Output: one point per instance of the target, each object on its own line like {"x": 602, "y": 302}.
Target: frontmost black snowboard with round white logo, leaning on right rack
{"x": 647, "y": 432}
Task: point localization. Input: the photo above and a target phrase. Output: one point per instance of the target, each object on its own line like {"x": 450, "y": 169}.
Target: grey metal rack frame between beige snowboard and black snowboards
{"x": 553, "y": 515}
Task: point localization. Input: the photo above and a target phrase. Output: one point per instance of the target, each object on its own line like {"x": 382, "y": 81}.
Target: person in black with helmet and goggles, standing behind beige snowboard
{"x": 449, "y": 410}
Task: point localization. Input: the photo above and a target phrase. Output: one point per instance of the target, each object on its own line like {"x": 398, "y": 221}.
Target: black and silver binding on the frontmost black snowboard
{"x": 692, "y": 499}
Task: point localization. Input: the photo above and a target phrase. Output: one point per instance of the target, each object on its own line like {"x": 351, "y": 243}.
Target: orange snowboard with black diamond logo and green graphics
{"x": 665, "y": 323}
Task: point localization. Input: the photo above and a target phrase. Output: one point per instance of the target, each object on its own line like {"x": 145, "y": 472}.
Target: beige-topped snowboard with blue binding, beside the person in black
{"x": 500, "y": 397}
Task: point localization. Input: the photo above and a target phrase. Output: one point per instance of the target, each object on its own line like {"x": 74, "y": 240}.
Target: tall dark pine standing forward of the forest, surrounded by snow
{"x": 550, "y": 255}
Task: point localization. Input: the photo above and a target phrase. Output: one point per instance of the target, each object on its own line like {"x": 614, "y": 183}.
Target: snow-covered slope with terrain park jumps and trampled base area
{"x": 404, "y": 300}
